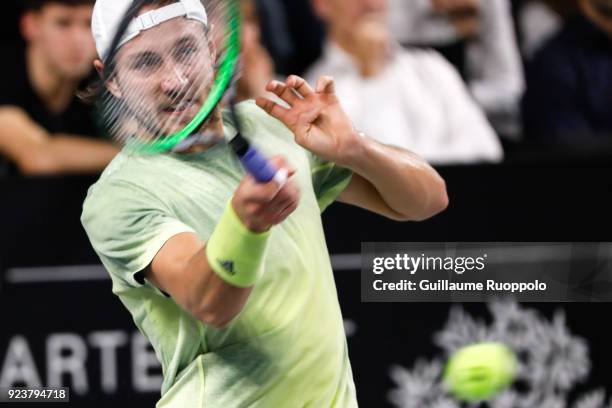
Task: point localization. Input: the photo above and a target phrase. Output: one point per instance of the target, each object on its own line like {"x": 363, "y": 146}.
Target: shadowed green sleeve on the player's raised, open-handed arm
{"x": 328, "y": 180}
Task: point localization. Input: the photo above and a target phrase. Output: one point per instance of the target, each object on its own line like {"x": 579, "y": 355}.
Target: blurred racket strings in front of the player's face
{"x": 141, "y": 109}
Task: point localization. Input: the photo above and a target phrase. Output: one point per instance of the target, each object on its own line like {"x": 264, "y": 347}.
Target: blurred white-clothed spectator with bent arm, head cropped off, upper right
{"x": 493, "y": 66}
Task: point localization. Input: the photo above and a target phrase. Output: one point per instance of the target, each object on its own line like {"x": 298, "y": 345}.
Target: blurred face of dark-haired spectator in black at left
{"x": 63, "y": 35}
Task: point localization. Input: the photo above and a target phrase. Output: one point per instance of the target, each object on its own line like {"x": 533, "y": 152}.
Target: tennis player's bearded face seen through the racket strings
{"x": 164, "y": 75}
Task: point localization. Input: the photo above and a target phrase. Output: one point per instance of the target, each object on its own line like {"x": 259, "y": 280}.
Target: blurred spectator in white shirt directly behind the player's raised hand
{"x": 412, "y": 99}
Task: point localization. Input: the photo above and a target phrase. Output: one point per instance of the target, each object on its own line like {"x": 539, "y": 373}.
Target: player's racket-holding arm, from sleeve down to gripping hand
{"x": 182, "y": 268}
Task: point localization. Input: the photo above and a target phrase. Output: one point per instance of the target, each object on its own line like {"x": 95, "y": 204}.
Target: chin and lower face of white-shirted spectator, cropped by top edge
{"x": 346, "y": 14}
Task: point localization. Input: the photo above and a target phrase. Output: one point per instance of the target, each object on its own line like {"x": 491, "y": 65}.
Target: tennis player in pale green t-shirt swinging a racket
{"x": 230, "y": 279}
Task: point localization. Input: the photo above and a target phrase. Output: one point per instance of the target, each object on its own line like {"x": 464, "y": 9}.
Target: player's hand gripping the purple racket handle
{"x": 260, "y": 206}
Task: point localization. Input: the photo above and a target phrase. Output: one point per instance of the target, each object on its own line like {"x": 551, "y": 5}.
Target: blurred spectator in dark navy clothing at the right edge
{"x": 569, "y": 92}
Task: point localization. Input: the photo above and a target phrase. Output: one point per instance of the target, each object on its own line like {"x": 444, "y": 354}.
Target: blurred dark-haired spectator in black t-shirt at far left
{"x": 41, "y": 120}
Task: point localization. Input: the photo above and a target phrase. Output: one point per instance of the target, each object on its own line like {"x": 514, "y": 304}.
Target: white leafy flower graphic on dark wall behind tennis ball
{"x": 552, "y": 362}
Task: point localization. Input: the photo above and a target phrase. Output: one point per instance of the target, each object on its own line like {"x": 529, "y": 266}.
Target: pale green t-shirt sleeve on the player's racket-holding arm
{"x": 127, "y": 226}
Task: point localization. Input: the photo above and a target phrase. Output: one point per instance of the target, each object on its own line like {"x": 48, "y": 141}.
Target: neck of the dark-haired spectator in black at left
{"x": 55, "y": 90}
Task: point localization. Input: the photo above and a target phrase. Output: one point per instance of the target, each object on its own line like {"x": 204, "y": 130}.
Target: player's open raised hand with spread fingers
{"x": 316, "y": 118}
